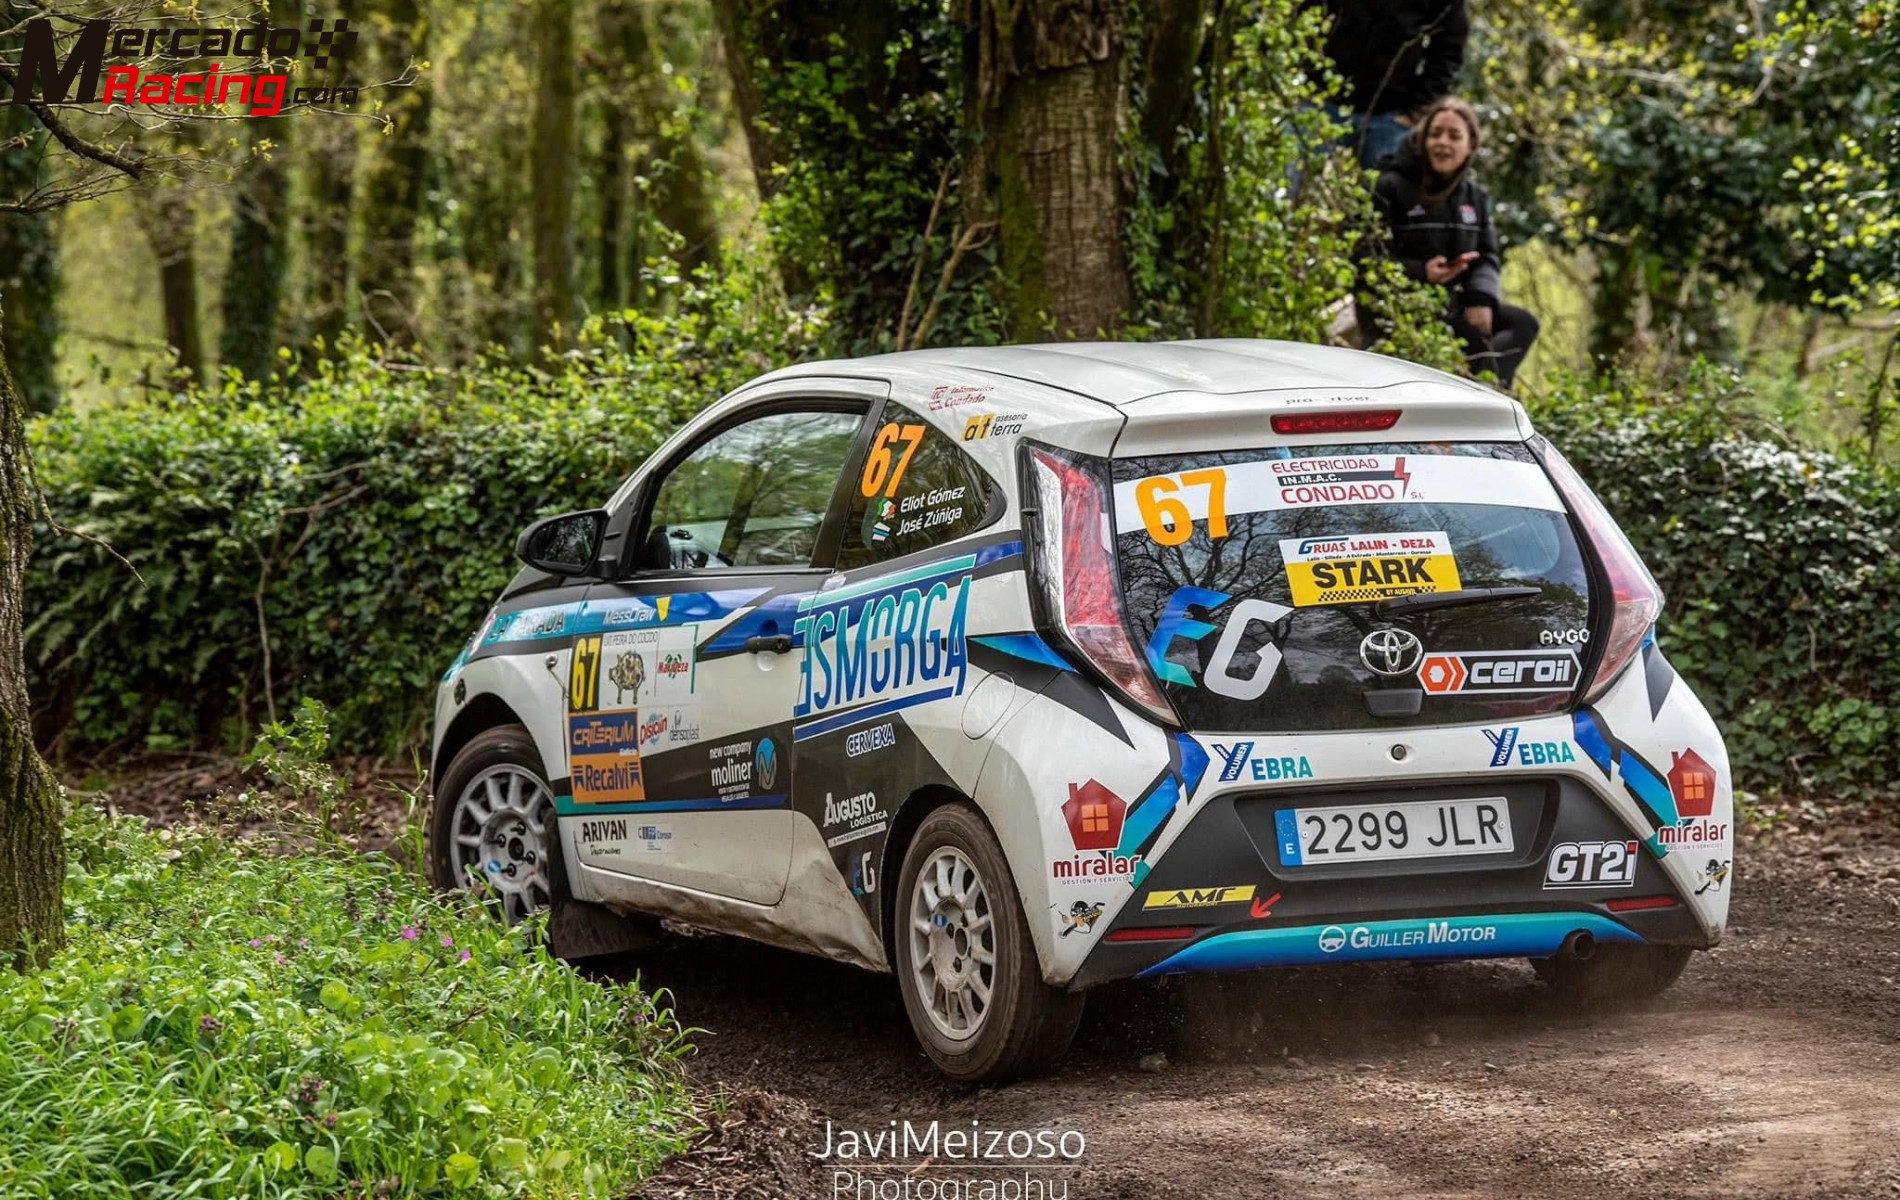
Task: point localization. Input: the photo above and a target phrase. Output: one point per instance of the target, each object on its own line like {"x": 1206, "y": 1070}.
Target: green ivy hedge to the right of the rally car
{"x": 1781, "y": 569}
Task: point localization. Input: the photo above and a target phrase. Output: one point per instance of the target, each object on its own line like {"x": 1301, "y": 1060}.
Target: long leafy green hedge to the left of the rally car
{"x": 339, "y": 536}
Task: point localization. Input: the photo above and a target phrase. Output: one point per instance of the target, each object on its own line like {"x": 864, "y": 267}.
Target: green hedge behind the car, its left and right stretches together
{"x": 385, "y": 506}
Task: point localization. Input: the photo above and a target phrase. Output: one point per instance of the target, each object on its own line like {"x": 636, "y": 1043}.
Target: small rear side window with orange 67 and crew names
{"x": 915, "y": 491}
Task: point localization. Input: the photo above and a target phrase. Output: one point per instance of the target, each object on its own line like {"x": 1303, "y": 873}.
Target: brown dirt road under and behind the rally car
{"x": 1772, "y": 1070}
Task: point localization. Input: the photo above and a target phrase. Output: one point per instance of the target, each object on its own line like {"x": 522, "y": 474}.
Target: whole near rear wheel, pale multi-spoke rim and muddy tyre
{"x": 966, "y": 962}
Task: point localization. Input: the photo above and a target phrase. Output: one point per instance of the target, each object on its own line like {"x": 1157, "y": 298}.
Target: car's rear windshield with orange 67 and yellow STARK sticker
{"x": 1251, "y": 580}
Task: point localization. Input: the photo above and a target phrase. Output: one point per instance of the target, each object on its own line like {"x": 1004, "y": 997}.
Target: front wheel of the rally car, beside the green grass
{"x": 495, "y": 823}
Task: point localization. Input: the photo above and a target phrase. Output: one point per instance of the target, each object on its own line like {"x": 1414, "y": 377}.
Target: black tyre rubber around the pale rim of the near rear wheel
{"x": 1027, "y": 1024}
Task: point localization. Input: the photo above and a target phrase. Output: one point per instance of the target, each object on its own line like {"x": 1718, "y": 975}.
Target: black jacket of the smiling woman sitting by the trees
{"x": 1422, "y": 231}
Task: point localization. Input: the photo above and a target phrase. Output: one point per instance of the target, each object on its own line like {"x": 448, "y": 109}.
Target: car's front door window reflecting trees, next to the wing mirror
{"x": 753, "y": 495}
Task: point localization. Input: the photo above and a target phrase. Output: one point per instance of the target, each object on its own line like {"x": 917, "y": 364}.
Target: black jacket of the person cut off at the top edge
{"x": 1396, "y": 56}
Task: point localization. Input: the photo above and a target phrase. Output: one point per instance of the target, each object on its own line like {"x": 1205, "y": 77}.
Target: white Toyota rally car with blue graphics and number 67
{"x": 1016, "y": 671}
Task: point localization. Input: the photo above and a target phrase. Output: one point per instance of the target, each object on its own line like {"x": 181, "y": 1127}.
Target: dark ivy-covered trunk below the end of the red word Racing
{"x": 254, "y": 282}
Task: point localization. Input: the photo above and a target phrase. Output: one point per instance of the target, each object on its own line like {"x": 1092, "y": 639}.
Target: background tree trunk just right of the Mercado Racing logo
{"x": 394, "y": 187}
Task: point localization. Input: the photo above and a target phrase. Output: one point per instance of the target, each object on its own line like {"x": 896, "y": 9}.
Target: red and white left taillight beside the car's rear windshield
{"x": 1074, "y": 572}
